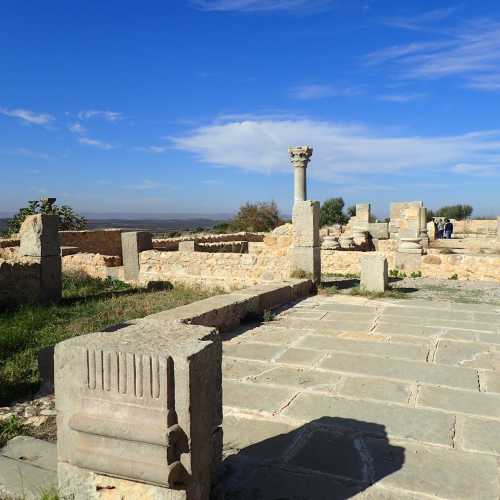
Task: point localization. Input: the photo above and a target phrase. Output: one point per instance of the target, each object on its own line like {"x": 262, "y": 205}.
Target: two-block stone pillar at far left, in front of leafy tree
{"x": 39, "y": 240}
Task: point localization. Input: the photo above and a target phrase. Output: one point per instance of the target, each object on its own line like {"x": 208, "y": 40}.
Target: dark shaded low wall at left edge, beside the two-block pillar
{"x": 19, "y": 281}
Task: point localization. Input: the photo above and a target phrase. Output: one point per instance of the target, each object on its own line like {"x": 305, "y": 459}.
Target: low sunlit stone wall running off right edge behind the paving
{"x": 473, "y": 267}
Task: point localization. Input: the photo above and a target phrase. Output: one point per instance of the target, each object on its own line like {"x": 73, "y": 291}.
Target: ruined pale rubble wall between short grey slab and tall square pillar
{"x": 266, "y": 261}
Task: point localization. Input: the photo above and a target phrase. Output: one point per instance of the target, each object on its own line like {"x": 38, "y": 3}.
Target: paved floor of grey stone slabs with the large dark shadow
{"x": 342, "y": 397}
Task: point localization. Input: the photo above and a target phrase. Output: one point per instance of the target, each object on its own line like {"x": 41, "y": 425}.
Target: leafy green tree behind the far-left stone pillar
{"x": 68, "y": 219}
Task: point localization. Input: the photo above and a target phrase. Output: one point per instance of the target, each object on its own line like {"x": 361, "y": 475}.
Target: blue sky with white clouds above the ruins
{"x": 189, "y": 105}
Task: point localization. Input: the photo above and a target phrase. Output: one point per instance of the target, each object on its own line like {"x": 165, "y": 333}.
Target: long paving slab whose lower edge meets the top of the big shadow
{"x": 393, "y": 420}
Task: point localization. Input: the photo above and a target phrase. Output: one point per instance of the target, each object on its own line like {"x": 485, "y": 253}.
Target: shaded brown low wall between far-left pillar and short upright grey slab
{"x": 103, "y": 241}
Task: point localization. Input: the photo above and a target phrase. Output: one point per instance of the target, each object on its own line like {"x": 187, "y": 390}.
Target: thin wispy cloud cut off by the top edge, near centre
{"x": 259, "y": 5}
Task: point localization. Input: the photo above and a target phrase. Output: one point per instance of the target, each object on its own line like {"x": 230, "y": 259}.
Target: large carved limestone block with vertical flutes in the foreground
{"x": 142, "y": 403}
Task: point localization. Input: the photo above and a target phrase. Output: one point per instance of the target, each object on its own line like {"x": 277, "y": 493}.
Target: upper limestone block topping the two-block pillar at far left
{"x": 39, "y": 236}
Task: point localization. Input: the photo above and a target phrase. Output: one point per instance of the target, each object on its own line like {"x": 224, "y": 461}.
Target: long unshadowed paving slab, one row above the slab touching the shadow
{"x": 405, "y": 370}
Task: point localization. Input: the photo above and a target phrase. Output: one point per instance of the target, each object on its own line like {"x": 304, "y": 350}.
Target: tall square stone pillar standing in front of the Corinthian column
{"x": 306, "y": 252}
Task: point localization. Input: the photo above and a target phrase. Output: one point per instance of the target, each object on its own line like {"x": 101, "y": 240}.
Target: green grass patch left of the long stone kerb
{"x": 88, "y": 305}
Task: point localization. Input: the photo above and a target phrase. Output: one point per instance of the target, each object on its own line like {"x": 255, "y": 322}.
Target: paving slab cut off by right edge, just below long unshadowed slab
{"x": 455, "y": 401}
